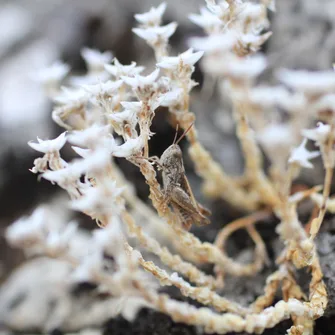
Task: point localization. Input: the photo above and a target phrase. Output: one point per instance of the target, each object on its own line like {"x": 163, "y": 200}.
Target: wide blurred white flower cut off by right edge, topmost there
{"x": 307, "y": 81}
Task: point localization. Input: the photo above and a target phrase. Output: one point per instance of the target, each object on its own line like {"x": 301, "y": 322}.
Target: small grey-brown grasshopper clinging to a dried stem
{"x": 177, "y": 191}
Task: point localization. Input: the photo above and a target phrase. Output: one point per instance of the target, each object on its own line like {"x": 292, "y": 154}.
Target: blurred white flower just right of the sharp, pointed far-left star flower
{"x": 89, "y": 137}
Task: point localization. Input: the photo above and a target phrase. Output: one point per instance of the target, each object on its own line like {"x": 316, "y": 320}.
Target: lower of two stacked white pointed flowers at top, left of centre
{"x": 154, "y": 35}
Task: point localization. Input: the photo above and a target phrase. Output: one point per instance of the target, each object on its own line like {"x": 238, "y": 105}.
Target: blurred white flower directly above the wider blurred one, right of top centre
{"x": 214, "y": 43}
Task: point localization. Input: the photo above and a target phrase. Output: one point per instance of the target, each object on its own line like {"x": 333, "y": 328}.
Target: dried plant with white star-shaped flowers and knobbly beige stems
{"x": 115, "y": 101}
